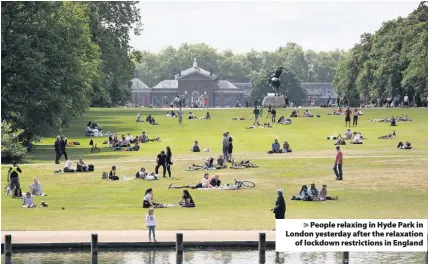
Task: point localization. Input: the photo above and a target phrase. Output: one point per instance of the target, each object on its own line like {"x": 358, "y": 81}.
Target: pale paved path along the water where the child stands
{"x": 26, "y": 237}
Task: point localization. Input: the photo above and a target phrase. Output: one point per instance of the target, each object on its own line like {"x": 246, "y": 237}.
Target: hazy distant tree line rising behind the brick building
{"x": 308, "y": 66}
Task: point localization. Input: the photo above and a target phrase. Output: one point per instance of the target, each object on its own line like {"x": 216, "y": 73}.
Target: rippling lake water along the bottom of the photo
{"x": 212, "y": 257}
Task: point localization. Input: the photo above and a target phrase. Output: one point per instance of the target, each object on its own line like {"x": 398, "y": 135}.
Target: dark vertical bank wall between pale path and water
{"x": 86, "y": 246}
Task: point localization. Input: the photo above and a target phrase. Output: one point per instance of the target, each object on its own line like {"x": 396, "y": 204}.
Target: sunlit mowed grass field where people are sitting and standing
{"x": 380, "y": 181}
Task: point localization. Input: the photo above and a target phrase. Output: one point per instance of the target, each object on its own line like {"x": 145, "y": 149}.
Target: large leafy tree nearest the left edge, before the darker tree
{"x": 48, "y": 64}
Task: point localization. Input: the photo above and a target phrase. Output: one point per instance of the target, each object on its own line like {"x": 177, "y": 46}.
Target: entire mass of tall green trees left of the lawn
{"x": 58, "y": 58}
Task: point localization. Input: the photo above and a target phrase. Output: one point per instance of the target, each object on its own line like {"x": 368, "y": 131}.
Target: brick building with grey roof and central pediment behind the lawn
{"x": 194, "y": 83}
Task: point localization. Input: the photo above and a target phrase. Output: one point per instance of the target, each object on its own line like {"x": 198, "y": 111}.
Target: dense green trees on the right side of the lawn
{"x": 389, "y": 64}
